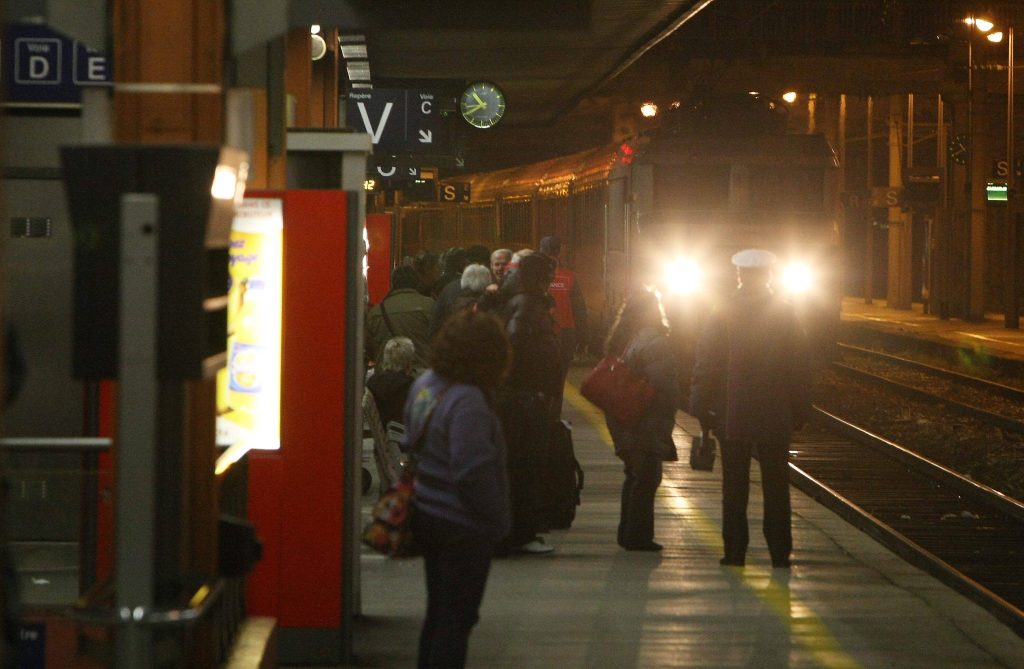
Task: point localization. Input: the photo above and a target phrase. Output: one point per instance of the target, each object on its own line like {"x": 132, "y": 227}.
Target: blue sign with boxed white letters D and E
{"x": 44, "y": 67}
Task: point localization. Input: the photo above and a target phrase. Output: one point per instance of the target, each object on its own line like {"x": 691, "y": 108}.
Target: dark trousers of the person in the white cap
{"x": 774, "y": 459}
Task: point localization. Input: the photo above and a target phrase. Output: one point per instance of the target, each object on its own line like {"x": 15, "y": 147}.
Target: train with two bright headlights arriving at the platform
{"x": 666, "y": 210}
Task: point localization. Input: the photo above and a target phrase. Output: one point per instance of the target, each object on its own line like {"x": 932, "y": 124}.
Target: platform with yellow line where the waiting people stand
{"x": 846, "y": 603}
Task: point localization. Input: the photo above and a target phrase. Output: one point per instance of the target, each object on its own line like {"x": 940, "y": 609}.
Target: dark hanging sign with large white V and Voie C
{"x": 398, "y": 120}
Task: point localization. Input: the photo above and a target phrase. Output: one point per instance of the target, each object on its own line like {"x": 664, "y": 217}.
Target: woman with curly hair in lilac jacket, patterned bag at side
{"x": 462, "y": 492}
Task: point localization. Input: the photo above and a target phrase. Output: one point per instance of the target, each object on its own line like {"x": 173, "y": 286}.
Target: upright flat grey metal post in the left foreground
{"x": 137, "y": 443}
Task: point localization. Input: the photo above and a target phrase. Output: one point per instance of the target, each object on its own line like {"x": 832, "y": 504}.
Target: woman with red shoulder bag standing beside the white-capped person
{"x": 639, "y": 337}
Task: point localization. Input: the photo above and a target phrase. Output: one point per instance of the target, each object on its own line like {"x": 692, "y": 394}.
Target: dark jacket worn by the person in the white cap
{"x": 752, "y": 377}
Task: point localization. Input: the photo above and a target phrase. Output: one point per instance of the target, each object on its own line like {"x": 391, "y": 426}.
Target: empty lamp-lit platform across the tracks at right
{"x": 989, "y": 334}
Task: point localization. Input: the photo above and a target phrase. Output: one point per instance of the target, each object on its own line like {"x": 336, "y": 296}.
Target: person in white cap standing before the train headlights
{"x": 751, "y": 386}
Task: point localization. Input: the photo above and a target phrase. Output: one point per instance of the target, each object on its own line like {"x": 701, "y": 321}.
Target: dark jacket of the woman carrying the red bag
{"x": 651, "y": 356}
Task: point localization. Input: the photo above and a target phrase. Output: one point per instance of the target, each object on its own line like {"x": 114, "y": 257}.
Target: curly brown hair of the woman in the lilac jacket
{"x": 472, "y": 348}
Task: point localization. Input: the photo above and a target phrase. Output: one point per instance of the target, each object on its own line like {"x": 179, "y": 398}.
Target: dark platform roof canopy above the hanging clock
{"x": 545, "y": 56}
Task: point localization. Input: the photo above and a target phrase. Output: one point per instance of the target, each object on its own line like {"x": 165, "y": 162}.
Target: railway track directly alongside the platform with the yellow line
{"x": 969, "y": 536}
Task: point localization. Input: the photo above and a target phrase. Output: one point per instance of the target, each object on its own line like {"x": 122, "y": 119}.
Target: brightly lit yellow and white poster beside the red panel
{"x": 249, "y": 390}
